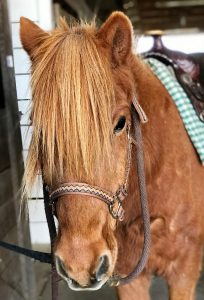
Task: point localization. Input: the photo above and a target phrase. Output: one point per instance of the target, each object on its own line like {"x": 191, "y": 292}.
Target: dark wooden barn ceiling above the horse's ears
{"x": 181, "y": 15}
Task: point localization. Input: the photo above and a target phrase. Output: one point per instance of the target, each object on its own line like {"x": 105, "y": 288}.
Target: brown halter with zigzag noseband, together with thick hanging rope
{"x": 114, "y": 201}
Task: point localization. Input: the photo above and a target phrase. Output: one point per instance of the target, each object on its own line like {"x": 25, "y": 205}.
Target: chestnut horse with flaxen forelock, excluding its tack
{"x": 83, "y": 83}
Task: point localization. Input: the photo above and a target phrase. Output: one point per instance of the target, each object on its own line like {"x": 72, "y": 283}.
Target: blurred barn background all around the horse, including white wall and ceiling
{"x": 183, "y": 29}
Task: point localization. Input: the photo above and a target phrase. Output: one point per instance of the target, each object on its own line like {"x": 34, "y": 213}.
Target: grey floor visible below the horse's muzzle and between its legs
{"x": 158, "y": 288}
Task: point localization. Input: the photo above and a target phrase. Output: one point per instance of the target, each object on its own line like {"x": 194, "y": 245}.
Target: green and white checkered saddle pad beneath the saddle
{"x": 194, "y": 127}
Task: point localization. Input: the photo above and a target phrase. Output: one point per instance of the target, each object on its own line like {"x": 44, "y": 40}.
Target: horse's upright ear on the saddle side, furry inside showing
{"x": 117, "y": 33}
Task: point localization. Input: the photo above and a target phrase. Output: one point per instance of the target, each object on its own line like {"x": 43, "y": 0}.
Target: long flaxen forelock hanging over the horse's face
{"x": 72, "y": 92}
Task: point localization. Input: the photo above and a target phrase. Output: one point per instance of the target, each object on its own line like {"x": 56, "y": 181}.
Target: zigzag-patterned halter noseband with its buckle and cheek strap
{"x": 113, "y": 200}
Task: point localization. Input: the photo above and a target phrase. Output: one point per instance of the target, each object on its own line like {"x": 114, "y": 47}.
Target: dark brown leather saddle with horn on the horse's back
{"x": 187, "y": 71}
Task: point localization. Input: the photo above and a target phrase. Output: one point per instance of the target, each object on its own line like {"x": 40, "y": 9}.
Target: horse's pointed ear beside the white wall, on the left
{"x": 31, "y": 35}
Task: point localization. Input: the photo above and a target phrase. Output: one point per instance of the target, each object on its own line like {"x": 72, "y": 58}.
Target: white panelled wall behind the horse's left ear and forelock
{"x": 39, "y": 11}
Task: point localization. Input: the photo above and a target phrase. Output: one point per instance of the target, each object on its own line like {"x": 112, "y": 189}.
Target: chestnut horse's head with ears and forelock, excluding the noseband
{"x": 82, "y": 84}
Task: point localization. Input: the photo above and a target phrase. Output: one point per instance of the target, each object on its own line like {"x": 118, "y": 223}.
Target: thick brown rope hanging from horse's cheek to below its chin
{"x": 144, "y": 205}
